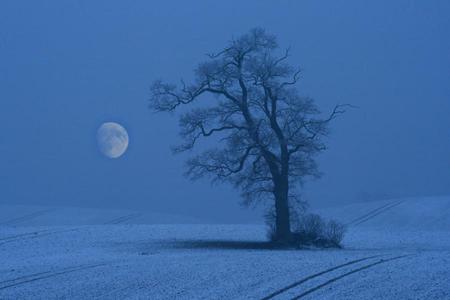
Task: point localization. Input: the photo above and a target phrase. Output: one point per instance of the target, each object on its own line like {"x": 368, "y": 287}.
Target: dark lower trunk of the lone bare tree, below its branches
{"x": 283, "y": 223}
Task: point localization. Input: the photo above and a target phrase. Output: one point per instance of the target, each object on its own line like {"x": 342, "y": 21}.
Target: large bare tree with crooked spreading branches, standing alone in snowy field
{"x": 269, "y": 134}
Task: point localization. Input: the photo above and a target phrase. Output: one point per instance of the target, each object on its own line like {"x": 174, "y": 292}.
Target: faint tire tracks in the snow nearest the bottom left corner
{"x": 44, "y": 275}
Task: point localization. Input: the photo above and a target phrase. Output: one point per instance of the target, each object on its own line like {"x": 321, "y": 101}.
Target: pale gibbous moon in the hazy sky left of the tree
{"x": 112, "y": 139}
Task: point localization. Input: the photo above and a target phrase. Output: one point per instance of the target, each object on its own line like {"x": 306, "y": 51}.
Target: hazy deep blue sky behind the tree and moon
{"x": 68, "y": 66}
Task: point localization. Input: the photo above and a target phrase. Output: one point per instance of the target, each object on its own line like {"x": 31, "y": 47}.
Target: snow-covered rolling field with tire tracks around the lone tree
{"x": 396, "y": 249}
